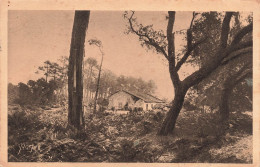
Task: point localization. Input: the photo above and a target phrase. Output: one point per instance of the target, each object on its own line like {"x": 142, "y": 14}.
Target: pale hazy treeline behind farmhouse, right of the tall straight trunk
{"x": 110, "y": 82}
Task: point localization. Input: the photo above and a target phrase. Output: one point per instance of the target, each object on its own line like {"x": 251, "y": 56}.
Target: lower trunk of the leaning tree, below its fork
{"x": 172, "y": 115}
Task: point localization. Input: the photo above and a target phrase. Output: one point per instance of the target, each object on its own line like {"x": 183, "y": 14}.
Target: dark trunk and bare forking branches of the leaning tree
{"x": 165, "y": 45}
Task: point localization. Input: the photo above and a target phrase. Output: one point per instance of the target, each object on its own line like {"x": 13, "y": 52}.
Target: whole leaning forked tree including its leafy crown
{"x": 208, "y": 45}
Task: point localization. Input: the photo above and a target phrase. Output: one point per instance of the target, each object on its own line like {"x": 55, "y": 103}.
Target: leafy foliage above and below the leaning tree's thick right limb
{"x": 209, "y": 91}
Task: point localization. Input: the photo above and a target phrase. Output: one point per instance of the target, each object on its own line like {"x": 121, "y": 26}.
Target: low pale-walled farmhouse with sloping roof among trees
{"x": 124, "y": 100}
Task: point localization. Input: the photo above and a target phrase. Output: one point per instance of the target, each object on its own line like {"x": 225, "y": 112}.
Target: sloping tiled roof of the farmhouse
{"x": 145, "y": 97}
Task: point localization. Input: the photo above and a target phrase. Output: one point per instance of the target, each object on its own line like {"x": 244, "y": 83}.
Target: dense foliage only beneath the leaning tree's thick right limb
{"x": 227, "y": 77}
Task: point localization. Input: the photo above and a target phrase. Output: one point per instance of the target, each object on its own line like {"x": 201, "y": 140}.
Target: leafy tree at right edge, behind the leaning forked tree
{"x": 219, "y": 89}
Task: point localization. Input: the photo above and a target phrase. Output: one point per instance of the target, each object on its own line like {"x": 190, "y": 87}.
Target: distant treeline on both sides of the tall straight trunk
{"x": 52, "y": 89}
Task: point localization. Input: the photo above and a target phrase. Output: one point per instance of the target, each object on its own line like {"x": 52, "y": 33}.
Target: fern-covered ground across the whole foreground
{"x": 42, "y": 135}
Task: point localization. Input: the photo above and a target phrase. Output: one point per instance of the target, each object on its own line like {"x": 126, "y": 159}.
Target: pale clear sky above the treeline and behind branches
{"x": 37, "y": 36}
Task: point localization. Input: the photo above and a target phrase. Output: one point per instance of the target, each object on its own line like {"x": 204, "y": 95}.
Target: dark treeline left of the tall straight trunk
{"x": 47, "y": 90}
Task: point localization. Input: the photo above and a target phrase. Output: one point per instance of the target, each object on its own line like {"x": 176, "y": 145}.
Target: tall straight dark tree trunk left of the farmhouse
{"x": 75, "y": 80}
